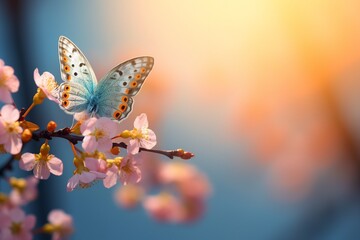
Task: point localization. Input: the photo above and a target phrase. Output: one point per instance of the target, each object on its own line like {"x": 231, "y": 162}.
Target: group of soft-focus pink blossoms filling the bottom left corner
{"x": 16, "y": 224}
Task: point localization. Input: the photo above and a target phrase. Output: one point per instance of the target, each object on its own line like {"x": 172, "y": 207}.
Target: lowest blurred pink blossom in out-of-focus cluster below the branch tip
{"x": 164, "y": 207}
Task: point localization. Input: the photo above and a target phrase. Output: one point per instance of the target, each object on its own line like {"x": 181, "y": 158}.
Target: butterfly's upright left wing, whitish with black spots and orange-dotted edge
{"x": 78, "y": 76}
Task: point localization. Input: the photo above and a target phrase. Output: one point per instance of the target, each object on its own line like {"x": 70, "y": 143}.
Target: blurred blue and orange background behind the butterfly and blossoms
{"x": 264, "y": 92}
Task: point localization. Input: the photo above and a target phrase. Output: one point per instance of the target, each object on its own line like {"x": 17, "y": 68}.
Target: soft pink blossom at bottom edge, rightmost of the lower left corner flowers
{"x": 62, "y": 224}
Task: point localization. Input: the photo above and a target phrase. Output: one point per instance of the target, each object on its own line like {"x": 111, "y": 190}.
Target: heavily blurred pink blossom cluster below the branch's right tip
{"x": 182, "y": 195}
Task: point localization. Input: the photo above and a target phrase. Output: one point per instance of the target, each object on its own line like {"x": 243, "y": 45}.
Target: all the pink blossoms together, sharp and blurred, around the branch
{"x": 98, "y": 159}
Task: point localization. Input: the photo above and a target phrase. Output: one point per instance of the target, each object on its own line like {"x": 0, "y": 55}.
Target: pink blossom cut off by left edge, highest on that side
{"x": 8, "y": 83}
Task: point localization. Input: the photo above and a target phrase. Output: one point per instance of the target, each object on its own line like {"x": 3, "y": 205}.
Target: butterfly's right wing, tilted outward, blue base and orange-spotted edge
{"x": 115, "y": 91}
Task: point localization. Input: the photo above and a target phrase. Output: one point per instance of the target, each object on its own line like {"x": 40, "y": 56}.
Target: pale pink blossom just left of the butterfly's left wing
{"x": 46, "y": 82}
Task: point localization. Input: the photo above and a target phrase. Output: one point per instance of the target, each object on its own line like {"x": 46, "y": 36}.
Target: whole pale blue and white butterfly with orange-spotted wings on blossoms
{"x": 110, "y": 97}
